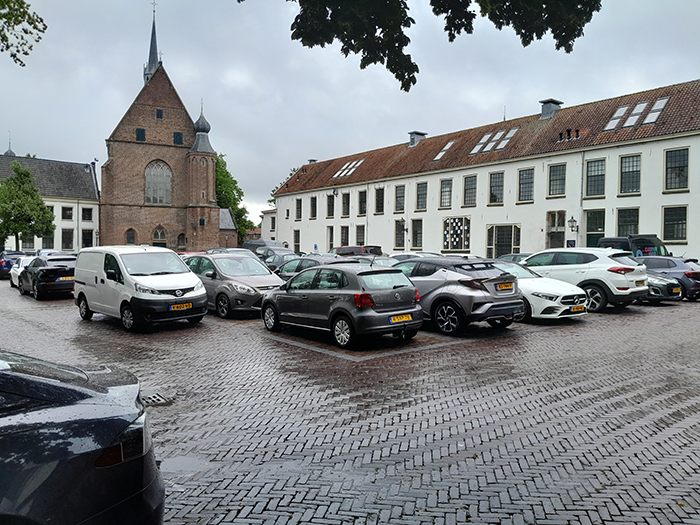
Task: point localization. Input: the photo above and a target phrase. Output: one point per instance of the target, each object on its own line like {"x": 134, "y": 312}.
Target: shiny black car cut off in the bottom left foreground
{"x": 76, "y": 446}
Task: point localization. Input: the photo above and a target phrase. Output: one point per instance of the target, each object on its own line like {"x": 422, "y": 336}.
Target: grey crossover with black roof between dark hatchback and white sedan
{"x": 455, "y": 292}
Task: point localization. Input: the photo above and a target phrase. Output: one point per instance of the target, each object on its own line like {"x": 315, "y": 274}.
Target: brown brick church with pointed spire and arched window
{"x": 158, "y": 183}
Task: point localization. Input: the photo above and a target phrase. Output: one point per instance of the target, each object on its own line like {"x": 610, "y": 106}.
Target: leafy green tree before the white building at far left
{"x": 22, "y": 210}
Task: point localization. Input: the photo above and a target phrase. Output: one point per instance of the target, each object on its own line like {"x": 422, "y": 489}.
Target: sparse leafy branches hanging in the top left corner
{"x": 18, "y": 27}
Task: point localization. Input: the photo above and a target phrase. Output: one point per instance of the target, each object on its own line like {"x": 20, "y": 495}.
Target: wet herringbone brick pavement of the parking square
{"x": 587, "y": 421}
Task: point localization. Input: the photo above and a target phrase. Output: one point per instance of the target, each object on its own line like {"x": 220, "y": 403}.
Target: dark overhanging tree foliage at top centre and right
{"x": 376, "y": 30}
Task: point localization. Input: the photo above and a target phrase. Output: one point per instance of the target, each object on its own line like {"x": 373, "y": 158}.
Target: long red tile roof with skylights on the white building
{"x": 535, "y": 136}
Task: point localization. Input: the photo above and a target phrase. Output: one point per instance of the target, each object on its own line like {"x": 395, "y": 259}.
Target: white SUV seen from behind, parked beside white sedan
{"x": 606, "y": 274}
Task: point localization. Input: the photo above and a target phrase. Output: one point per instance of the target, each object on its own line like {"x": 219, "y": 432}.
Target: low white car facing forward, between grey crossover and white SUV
{"x": 546, "y": 298}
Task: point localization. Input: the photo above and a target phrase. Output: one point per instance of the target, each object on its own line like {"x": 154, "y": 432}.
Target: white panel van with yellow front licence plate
{"x": 138, "y": 284}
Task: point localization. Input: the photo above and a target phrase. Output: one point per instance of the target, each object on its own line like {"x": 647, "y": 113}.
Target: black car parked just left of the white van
{"x": 50, "y": 274}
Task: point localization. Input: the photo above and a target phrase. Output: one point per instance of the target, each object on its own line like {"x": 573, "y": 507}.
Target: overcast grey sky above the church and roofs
{"x": 273, "y": 104}
